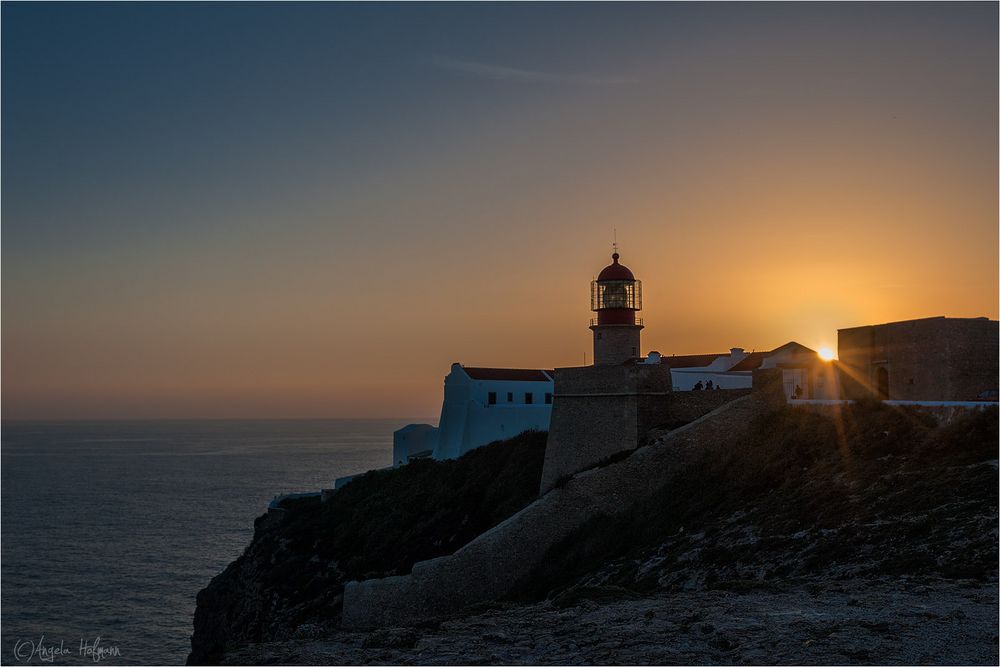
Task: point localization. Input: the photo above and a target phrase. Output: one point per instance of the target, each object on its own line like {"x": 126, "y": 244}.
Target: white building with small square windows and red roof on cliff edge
{"x": 481, "y": 405}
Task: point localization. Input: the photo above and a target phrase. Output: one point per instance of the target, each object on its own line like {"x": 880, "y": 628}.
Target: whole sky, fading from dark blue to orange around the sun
{"x": 312, "y": 210}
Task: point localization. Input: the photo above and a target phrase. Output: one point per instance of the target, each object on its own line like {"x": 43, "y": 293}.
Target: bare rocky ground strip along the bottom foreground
{"x": 886, "y": 621}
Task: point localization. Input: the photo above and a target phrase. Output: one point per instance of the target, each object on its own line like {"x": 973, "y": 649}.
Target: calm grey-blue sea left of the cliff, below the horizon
{"x": 108, "y": 530}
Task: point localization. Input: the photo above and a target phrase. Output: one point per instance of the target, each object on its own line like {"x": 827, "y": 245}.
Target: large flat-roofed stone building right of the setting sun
{"x": 930, "y": 359}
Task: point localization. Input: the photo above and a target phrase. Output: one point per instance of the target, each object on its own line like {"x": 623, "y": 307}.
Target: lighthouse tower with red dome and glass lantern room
{"x": 615, "y": 296}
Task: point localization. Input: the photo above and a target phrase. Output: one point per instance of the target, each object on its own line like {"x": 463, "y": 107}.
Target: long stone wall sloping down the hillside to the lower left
{"x": 489, "y": 566}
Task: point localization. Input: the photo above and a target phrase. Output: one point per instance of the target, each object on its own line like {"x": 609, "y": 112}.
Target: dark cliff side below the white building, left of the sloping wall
{"x": 380, "y": 524}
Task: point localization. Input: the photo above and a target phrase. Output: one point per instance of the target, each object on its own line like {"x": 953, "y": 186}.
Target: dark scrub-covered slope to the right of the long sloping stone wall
{"x": 864, "y": 490}
